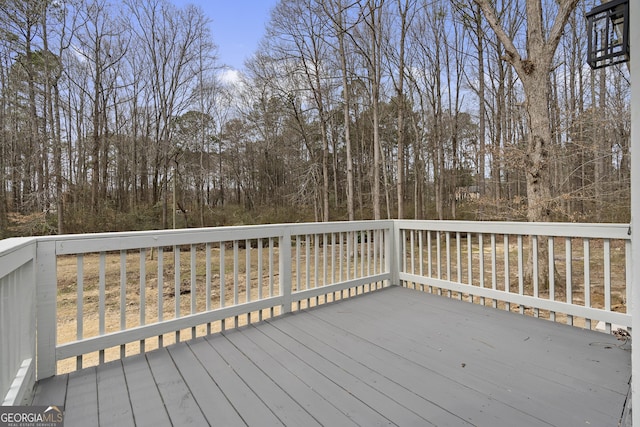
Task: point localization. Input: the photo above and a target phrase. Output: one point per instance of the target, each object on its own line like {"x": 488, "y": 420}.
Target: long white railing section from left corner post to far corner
{"x": 124, "y": 293}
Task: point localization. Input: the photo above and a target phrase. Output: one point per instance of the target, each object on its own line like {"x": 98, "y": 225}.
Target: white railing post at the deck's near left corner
{"x": 46, "y": 291}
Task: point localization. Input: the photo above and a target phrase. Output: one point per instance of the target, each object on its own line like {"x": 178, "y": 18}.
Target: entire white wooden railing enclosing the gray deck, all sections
{"x": 97, "y": 297}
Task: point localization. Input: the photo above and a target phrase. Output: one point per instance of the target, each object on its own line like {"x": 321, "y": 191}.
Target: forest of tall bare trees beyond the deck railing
{"x": 118, "y": 116}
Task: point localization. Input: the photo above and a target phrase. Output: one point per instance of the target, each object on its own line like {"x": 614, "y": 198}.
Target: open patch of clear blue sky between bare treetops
{"x": 236, "y": 25}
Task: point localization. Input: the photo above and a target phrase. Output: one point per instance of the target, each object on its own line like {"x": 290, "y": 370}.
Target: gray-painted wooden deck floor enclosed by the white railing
{"x": 391, "y": 357}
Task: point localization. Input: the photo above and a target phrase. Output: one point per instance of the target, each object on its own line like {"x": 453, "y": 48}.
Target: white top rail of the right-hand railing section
{"x": 563, "y": 229}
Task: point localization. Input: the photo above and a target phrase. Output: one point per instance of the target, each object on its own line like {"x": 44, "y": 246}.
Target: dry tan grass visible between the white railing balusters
{"x": 127, "y": 314}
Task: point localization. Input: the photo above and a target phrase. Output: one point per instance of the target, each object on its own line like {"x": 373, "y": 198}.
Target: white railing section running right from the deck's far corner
{"x": 493, "y": 262}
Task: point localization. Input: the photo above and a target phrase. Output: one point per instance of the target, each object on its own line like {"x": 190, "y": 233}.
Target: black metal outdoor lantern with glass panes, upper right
{"x": 608, "y": 27}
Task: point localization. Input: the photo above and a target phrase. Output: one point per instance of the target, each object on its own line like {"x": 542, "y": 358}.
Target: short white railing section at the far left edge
{"x": 17, "y": 319}
